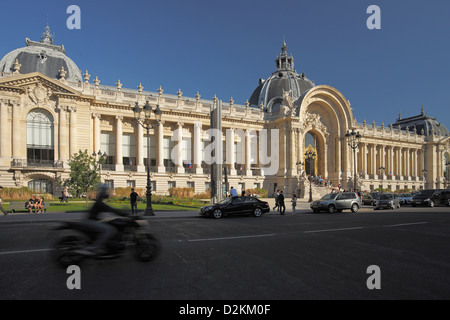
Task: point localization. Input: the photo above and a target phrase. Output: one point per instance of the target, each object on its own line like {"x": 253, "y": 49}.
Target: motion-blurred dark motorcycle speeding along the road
{"x": 68, "y": 249}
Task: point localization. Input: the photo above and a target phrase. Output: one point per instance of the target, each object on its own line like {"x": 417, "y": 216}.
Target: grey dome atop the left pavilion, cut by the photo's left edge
{"x": 44, "y": 57}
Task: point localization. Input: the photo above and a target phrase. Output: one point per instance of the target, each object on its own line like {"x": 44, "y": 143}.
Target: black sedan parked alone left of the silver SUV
{"x": 236, "y": 205}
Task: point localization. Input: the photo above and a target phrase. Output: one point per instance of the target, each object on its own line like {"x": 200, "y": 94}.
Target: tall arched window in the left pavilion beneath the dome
{"x": 40, "y": 138}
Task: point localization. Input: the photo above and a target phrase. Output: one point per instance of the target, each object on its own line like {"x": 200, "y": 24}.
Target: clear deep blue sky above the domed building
{"x": 224, "y": 47}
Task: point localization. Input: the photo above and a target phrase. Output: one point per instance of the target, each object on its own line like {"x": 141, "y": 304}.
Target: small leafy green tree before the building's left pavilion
{"x": 84, "y": 174}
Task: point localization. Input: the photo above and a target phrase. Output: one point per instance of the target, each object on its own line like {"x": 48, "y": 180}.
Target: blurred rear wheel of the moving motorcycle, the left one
{"x": 64, "y": 251}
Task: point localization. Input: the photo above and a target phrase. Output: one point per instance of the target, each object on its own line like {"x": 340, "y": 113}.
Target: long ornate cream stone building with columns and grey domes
{"x": 49, "y": 111}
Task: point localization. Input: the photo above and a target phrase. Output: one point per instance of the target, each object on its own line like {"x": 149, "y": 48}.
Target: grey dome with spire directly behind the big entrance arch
{"x": 269, "y": 93}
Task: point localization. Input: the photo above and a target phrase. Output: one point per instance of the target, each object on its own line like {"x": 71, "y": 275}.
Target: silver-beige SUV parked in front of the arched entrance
{"x": 336, "y": 202}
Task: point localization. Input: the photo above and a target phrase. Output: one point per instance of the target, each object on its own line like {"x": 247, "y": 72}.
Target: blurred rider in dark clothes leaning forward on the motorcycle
{"x": 104, "y": 231}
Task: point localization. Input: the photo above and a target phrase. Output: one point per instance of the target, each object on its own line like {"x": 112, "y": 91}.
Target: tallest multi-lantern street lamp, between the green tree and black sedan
{"x": 147, "y": 126}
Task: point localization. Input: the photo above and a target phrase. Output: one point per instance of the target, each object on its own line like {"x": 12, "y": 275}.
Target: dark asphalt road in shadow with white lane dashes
{"x": 306, "y": 256}
